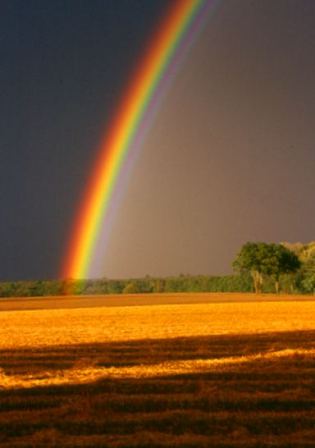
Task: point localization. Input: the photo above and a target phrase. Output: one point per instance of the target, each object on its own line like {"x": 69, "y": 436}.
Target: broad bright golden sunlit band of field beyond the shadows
{"x": 48, "y": 327}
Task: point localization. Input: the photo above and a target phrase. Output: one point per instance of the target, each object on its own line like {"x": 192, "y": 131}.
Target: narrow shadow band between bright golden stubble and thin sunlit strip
{"x": 149, "y": 351}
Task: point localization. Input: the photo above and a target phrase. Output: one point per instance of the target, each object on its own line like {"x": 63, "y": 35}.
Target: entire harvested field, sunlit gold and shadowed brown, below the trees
{"x": 158, "y": 371}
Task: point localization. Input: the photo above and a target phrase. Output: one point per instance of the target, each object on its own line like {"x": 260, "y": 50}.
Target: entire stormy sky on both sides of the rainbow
{"x": 231, "y": 157}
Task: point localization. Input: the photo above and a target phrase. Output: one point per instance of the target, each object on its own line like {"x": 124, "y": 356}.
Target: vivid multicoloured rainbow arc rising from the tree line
{"x": 157, "y": 67}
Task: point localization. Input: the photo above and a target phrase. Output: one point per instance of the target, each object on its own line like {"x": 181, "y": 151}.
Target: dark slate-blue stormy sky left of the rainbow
{"x": 63, "y": 67}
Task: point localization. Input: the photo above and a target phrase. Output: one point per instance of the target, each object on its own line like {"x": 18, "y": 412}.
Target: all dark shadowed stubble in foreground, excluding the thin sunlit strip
{"x": 265, "y": 403}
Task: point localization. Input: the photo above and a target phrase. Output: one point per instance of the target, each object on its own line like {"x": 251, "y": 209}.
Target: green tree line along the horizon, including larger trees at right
{"x": 259, "y": 267}
